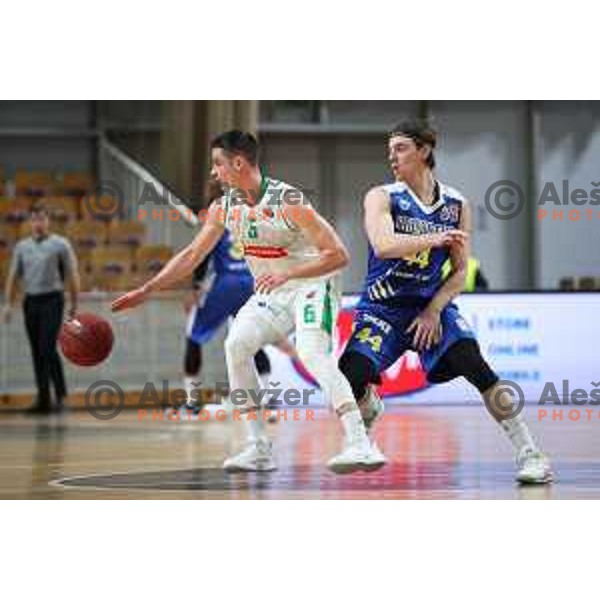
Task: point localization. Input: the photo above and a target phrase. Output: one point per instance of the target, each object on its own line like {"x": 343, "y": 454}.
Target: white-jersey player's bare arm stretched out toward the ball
{"x": 180, "y": 266}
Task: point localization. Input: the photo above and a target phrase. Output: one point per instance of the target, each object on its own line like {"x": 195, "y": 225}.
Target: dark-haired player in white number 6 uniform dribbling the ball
{"x": 293, "y": 254}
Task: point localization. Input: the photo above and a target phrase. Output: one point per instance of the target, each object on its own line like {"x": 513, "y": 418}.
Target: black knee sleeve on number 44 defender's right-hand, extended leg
{"x": 464, "y": 359}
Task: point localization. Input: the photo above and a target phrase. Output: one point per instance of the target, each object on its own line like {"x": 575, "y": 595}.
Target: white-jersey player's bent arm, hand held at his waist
{"x": 332, "y": 256}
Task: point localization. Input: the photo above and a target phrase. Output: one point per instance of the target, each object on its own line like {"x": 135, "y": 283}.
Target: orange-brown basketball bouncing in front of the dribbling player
{"x": 86, "y": 340}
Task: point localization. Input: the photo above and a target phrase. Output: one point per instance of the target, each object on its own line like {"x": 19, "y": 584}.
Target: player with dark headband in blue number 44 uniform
{"x": 414, "y": 225}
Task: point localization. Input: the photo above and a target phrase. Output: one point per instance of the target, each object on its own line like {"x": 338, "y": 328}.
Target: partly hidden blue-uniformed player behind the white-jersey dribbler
{"x": 222, "y": 285}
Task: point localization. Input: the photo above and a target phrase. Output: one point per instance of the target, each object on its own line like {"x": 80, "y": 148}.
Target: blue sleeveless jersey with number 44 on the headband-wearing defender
{"x": 419, "y": 275}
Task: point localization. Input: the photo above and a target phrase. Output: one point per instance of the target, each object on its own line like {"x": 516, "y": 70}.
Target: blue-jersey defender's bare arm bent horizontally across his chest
{"x": 386, "y": 243}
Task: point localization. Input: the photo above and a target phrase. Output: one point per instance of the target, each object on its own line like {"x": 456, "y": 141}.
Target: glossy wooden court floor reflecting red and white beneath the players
{"x": 434, "y": 452}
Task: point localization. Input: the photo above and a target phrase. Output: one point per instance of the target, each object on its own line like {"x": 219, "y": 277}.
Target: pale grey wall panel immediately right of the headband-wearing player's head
{"x": 481, "y": 143}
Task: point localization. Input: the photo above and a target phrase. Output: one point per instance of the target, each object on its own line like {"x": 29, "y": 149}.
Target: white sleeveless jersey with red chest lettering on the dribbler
{"x": 270, "y": 242}
